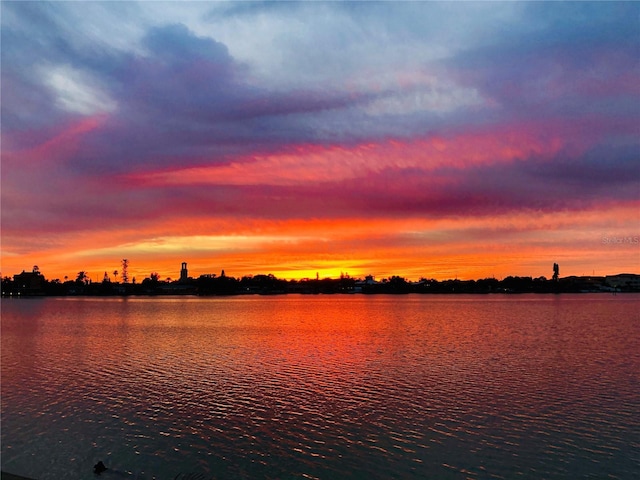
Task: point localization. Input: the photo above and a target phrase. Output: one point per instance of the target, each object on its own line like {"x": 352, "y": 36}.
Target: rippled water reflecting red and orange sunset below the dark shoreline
{"x": 373, "y": 387}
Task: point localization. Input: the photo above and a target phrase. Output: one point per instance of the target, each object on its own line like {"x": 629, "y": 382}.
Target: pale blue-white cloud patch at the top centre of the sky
{"x": 361, "y": 42}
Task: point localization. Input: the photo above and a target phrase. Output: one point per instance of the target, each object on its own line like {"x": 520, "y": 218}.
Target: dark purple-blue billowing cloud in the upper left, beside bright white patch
{"x": 187, "y": 97}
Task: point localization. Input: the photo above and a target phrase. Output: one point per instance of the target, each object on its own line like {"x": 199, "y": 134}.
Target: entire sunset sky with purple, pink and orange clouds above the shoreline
{"x": 438, "y": 140}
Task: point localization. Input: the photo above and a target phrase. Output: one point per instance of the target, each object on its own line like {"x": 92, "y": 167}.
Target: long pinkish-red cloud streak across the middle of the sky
{"x": 317, "y": 164}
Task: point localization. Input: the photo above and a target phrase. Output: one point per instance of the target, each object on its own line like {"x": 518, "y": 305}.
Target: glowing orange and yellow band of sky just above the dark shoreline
{"x": 445, "y": 248}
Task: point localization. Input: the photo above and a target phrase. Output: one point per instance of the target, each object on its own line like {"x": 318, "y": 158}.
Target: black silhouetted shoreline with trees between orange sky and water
{"x": 35, "y": 284}
